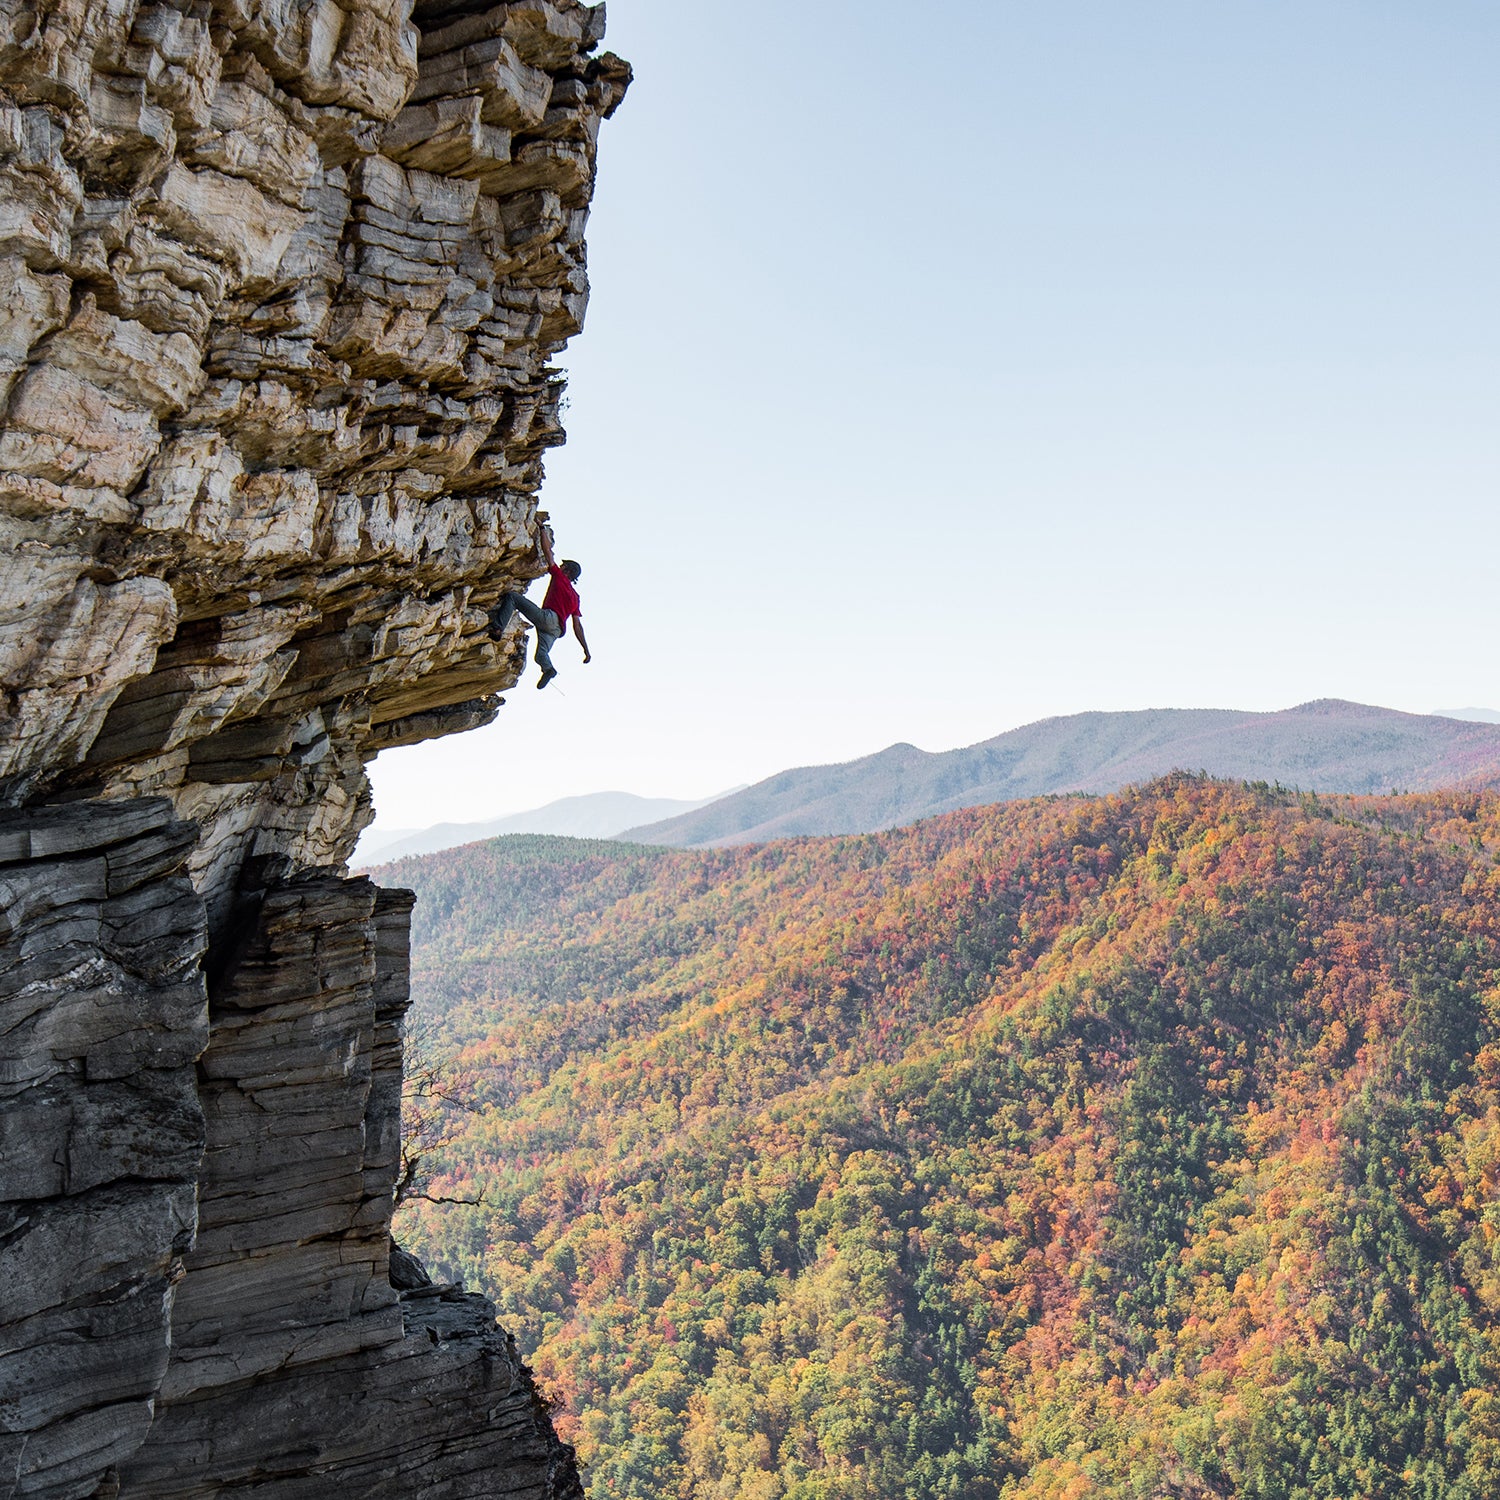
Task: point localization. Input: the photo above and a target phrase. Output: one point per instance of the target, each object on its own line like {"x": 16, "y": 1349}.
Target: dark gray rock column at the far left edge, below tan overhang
{"x": 103, "y": 1012}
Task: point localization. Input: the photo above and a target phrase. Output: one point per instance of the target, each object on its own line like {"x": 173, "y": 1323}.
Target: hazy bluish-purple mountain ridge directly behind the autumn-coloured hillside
{"x": 1325, "y": 746}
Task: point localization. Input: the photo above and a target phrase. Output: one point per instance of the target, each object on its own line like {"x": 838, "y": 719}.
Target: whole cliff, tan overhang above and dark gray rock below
{"x": 283, "y": 286}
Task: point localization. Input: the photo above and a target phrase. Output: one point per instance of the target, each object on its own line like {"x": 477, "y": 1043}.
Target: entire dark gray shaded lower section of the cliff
{"x": 196, "y": 1294}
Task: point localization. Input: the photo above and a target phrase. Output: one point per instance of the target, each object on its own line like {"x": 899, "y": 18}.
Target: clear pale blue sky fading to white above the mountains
{"x": 953, "y": 368}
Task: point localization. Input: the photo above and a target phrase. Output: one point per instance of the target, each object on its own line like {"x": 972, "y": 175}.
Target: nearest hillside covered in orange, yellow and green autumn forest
{"x": 1130, "y": 1147}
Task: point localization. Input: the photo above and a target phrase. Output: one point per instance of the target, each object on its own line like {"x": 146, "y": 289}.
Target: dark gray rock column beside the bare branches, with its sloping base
{"x": 296, "y": 1369}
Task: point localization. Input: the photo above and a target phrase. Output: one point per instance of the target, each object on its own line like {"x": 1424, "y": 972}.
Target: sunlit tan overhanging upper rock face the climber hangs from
{"x": 283, "y": 286}
